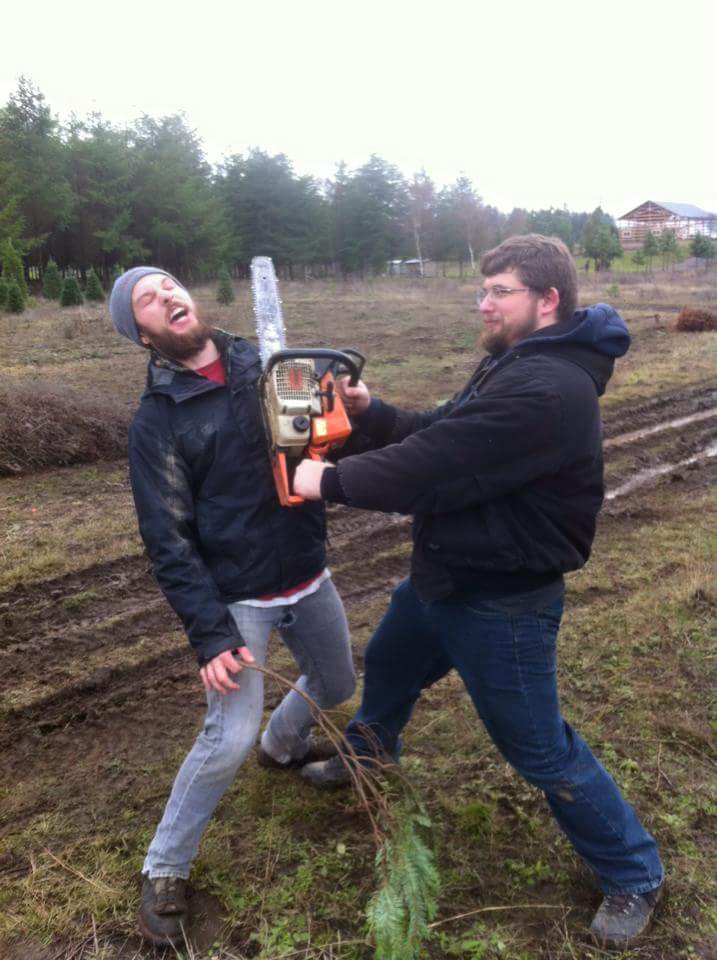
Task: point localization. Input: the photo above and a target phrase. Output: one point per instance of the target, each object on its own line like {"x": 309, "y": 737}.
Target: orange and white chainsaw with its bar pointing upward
{"x": 304, "y": 414}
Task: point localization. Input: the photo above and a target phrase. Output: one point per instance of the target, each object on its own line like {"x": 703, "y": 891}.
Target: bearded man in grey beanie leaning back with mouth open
{"x": 231, "y": 561}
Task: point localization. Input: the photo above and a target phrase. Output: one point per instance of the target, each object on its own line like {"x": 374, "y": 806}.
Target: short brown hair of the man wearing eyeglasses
{"x": 541, "y": 263}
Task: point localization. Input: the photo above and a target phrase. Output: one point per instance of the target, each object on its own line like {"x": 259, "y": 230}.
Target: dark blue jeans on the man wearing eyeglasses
{"x": 507, "y": 662}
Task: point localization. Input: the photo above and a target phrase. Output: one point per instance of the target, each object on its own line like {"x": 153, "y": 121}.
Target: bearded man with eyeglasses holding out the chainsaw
{"x": 505, "y": 482}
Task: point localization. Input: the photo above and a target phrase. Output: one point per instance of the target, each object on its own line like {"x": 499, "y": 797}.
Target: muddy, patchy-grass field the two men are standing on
{"x": 101, "y": 698}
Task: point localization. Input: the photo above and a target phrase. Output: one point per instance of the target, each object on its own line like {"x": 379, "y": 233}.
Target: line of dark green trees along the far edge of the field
{"x": 90, "y": 195}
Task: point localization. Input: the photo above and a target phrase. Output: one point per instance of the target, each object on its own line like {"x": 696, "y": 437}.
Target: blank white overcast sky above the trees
{"x": 539, "y": 103}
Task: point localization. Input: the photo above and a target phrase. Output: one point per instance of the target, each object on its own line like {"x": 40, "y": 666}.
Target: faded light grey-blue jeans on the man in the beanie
{"x": 316, "y": 632}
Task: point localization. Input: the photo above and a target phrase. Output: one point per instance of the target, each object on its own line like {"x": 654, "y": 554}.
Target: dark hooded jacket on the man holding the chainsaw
{"x": 506, "y": 479}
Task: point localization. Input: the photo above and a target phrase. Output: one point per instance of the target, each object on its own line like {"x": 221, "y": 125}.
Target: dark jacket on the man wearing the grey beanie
{"x": 205, "y": 497}
